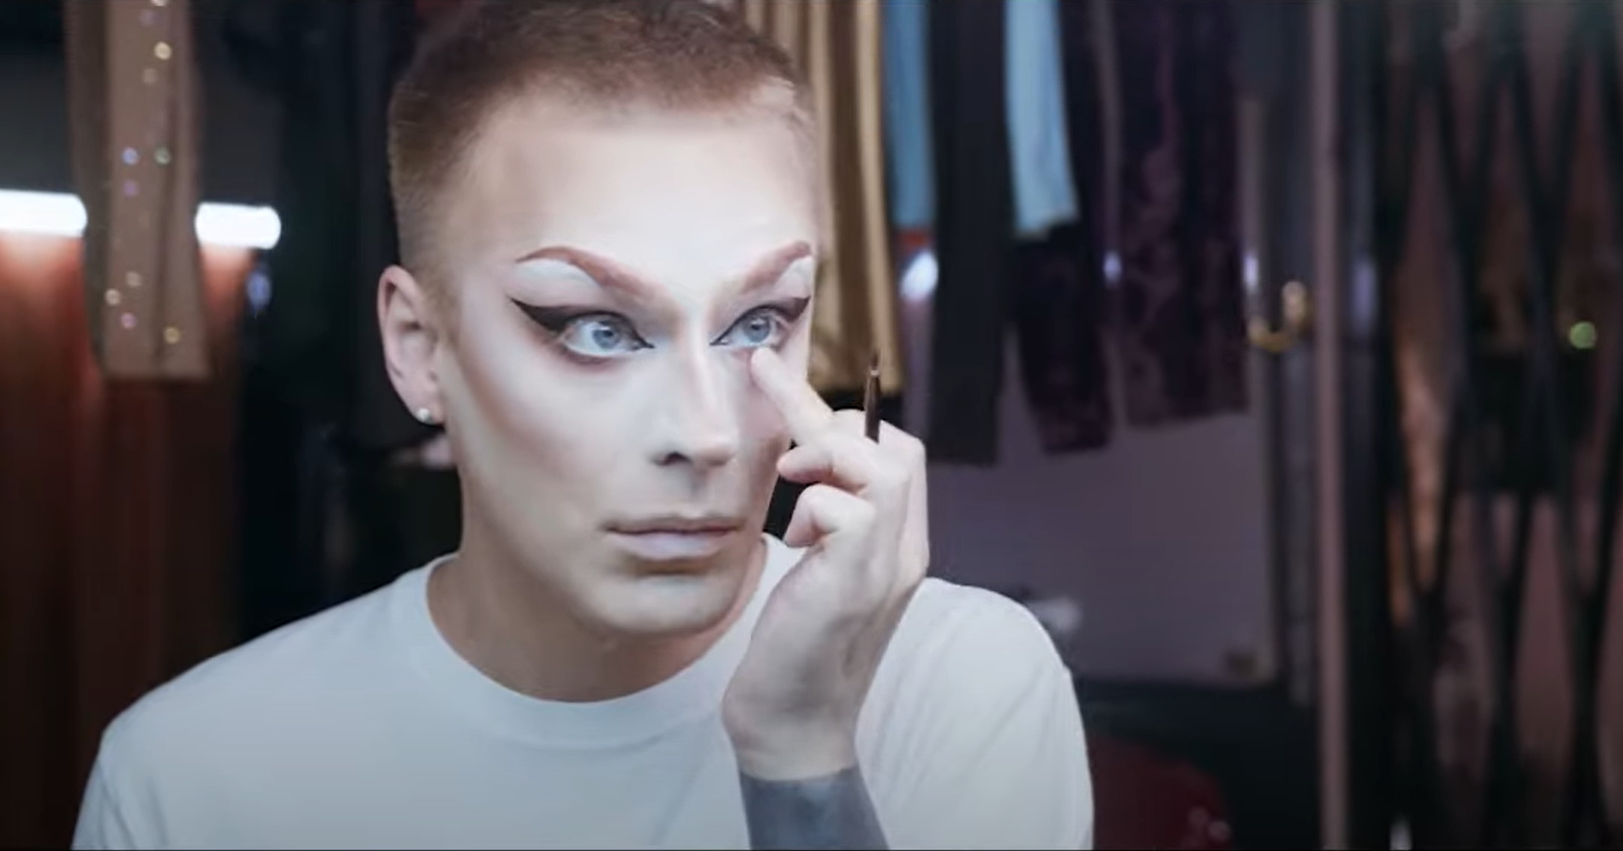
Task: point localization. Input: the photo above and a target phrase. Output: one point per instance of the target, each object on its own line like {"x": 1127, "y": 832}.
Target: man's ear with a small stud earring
{"x": 411, "y": 340}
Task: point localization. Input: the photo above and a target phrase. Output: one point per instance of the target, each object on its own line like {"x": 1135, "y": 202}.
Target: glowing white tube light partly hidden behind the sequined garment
{"x": 56, "y": 214}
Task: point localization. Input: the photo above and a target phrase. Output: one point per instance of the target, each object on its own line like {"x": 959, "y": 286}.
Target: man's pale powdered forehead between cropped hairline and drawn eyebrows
{"x": 653, "y": 189}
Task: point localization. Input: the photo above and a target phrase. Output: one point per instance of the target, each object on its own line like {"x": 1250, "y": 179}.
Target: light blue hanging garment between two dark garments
{"x": 1044, "y": 192}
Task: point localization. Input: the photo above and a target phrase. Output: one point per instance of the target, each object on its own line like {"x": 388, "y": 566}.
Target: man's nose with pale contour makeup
{"x": 699, "y": 423}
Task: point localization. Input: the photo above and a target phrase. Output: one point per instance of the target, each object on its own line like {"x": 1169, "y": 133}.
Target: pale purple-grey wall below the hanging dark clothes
{"x": 1161, "y": 537}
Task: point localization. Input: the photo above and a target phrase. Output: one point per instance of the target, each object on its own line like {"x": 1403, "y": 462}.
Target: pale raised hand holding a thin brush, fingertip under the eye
{"x": 793, "y": 706}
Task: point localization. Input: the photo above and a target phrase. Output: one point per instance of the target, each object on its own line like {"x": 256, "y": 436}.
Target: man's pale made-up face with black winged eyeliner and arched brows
{"x": 613, "y": 277}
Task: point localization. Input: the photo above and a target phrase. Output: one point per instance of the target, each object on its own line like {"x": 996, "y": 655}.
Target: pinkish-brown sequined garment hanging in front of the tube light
{"x": 134, "y": 105}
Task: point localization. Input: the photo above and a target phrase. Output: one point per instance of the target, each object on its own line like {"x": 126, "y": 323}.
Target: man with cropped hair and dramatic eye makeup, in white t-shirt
{"x": 609, "y": 235}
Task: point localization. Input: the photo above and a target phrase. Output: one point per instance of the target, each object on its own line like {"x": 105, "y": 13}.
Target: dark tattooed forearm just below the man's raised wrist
{"x": 830, "y": 811}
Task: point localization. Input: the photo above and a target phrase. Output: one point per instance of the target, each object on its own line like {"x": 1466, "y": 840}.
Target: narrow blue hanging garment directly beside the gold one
{"x": 908, "y": 153}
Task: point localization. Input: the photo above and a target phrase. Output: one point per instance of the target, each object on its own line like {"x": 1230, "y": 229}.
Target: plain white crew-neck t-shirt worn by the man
{"x": 363, "y": 728}
